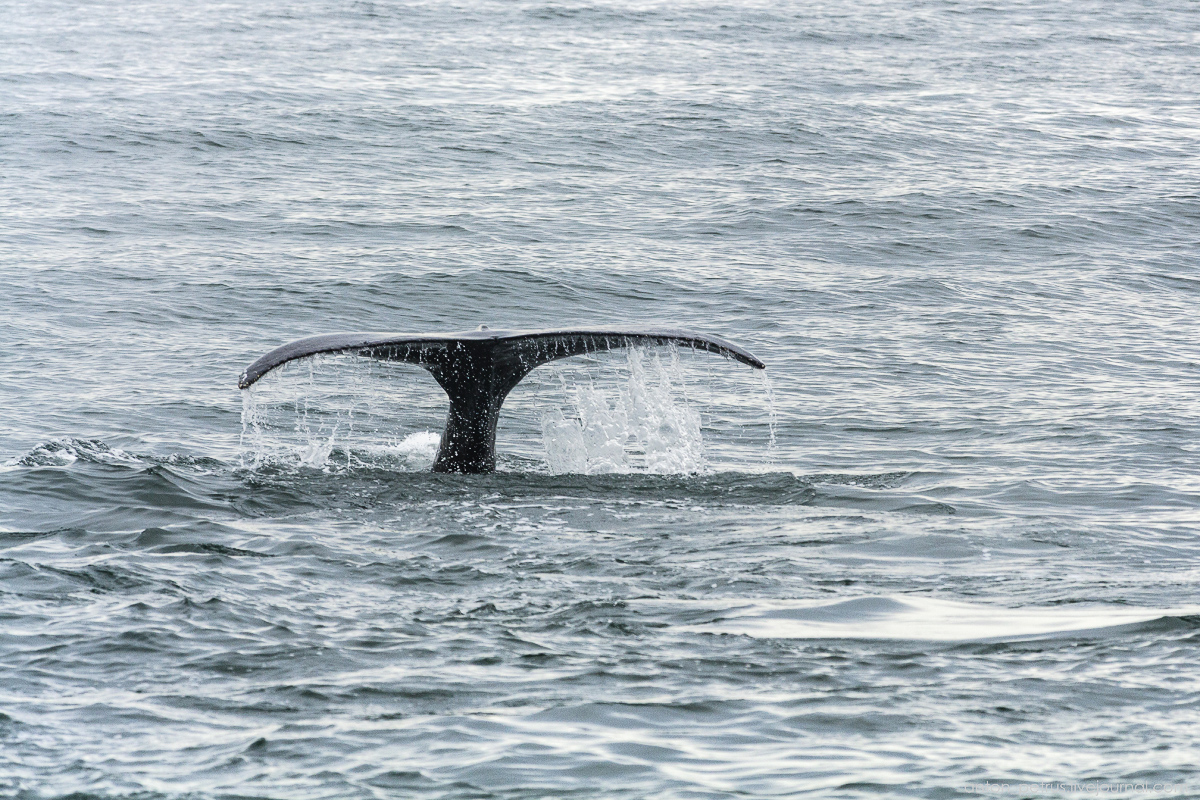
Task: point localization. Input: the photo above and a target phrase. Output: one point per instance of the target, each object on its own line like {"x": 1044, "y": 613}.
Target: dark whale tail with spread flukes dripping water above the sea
{"x": 479, "y": 369}
